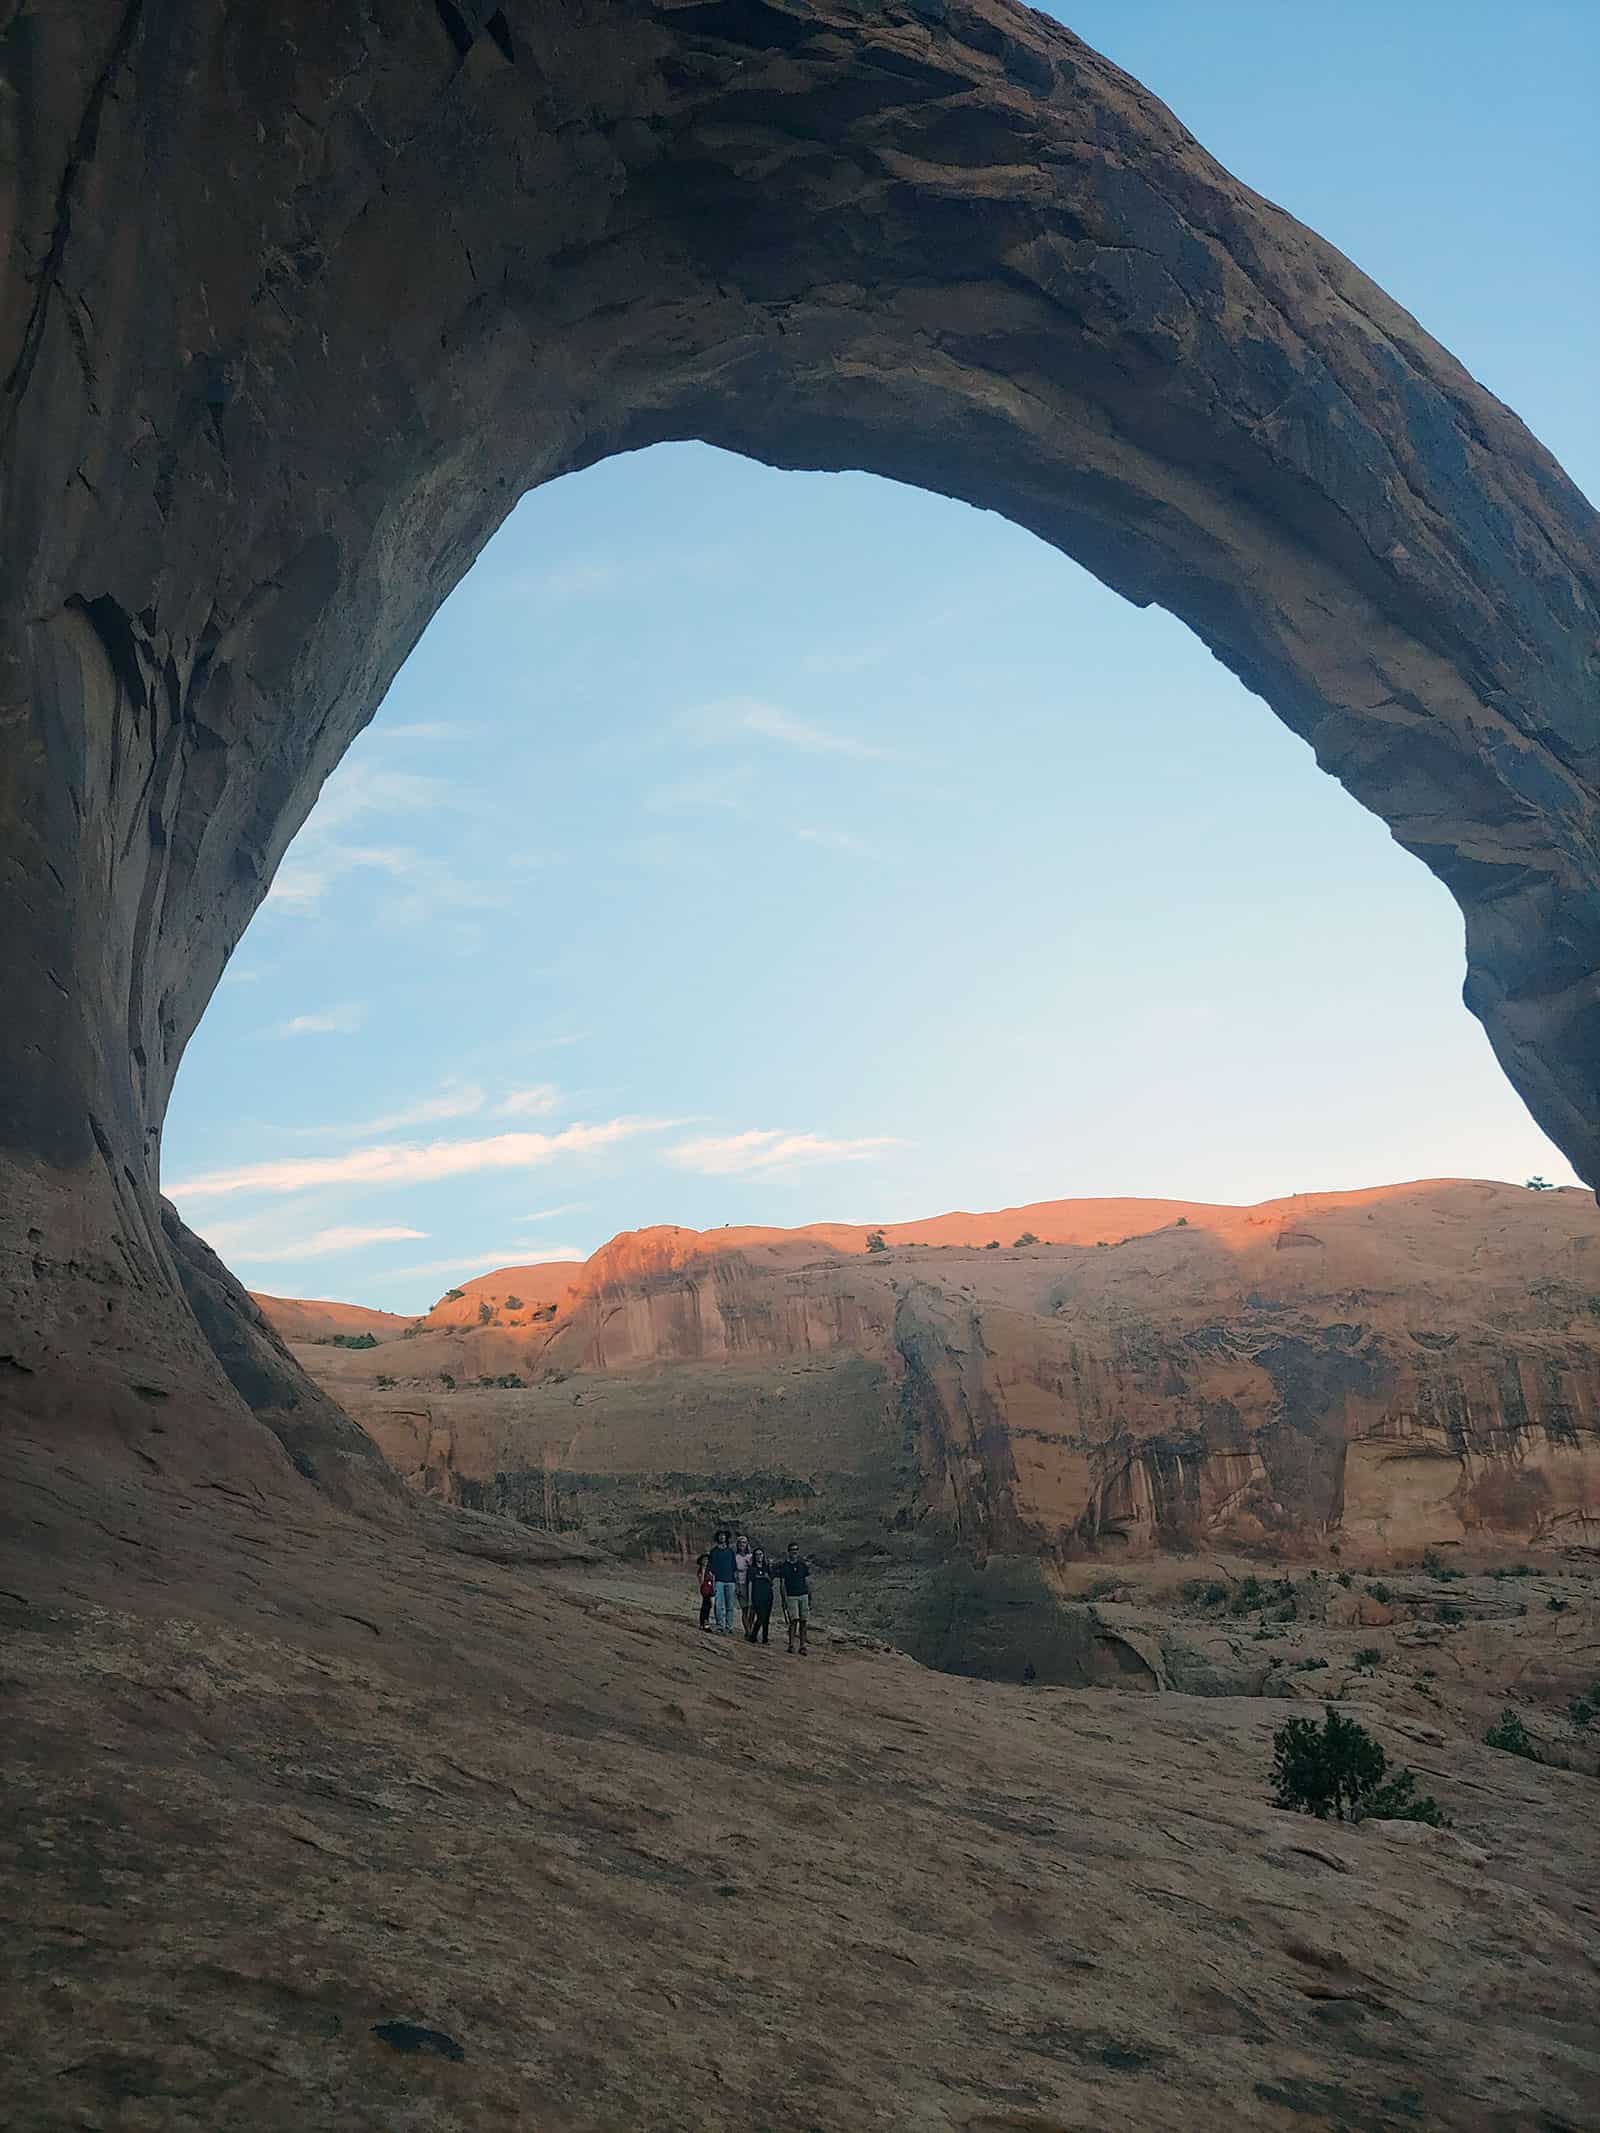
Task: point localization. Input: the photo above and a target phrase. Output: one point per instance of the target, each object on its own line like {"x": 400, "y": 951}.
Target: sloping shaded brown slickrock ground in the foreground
{"x": 274, "y": 1789}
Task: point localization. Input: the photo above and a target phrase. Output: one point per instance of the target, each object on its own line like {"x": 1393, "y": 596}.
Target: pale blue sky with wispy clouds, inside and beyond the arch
{"x": 767, "y": 848}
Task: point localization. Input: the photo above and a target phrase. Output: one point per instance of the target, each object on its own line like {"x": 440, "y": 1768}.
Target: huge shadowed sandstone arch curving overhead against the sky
{"x": 300, "y": 300}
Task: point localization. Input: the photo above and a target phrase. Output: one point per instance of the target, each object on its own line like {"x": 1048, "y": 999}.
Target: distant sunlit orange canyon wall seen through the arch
{"x": 1379, "y": 1373}
